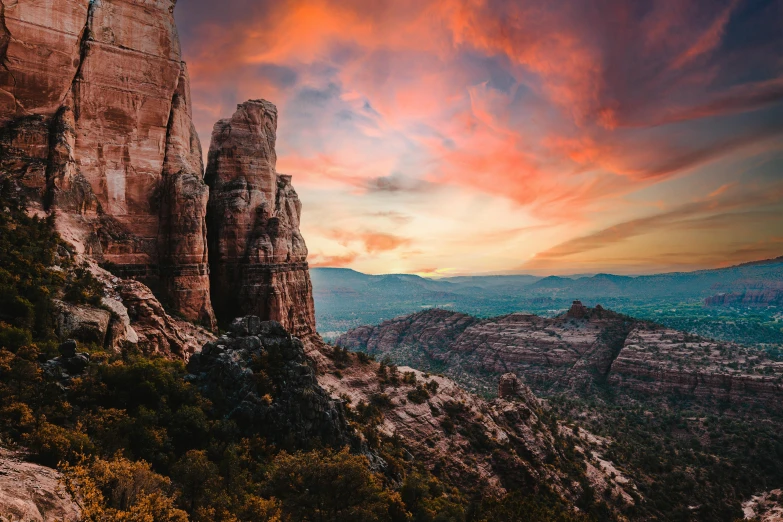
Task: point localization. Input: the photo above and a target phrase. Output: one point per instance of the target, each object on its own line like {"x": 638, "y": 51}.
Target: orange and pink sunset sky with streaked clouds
{"x": 446, "y": 137}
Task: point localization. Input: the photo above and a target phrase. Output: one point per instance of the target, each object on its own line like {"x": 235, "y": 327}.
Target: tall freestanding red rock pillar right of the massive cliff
{"x": 258, "y": 259}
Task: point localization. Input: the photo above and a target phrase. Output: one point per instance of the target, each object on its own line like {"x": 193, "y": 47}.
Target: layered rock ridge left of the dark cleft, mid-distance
{"x": 547, "y": 352}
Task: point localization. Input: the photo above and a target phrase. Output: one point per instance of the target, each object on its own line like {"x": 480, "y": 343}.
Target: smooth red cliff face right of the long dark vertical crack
{"x": 122, "y": 99}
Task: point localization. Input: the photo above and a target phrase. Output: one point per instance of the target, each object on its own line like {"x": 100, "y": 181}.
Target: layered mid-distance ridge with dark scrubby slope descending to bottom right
{"x": 694, "y": 423}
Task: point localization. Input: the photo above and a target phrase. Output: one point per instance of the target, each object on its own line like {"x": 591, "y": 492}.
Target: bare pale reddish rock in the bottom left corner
{"x": 32, "y": 493}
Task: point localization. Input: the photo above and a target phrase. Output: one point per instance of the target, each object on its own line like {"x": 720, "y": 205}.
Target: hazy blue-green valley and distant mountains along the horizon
{"x": 751, "y": 293}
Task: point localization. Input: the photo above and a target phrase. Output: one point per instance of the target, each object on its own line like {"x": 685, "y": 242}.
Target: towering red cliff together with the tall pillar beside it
{"x": 96, "y": 126}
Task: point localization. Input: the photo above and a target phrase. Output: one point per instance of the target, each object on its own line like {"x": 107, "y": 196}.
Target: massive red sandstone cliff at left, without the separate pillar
{"x": 96, "y": 123}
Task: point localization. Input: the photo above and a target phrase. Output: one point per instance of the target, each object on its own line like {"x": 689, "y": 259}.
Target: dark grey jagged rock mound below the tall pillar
{"x": 259, "y": 376}
